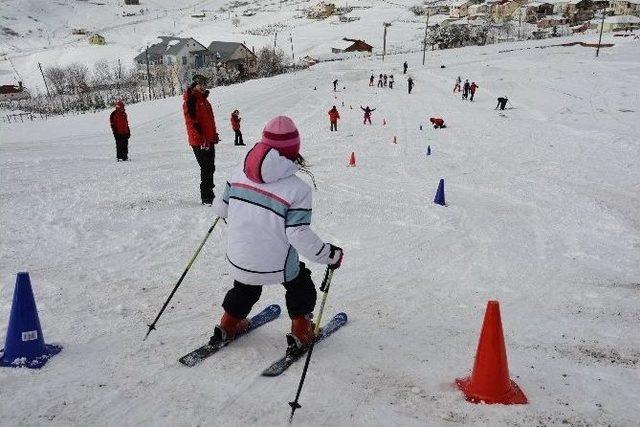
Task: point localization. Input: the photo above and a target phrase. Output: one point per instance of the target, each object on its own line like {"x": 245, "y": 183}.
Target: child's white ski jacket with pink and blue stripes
{"x": 268, "y": 211}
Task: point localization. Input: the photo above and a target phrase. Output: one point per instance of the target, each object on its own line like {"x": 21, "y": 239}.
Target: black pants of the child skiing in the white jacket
{"x": 300, "y": 296}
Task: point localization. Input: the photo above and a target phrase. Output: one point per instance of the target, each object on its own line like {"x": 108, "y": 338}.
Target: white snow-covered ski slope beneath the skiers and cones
{"x": 543, "y": 214}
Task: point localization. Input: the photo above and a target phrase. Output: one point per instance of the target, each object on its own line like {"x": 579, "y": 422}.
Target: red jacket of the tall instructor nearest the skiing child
{"x": 198, "y": 117}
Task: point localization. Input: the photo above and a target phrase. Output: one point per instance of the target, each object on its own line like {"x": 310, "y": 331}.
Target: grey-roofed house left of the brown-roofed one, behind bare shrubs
{"x": 186, "y": 52}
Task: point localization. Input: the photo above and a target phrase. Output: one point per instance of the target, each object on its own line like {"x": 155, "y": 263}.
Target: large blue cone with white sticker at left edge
{"x": 24, "y": 346}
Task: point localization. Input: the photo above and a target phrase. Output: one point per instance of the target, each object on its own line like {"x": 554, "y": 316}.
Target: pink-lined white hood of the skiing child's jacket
{"x": 264, "y": 164}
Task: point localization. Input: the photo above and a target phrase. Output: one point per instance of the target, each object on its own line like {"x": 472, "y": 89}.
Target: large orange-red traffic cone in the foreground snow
{"x": 489, "y": 381}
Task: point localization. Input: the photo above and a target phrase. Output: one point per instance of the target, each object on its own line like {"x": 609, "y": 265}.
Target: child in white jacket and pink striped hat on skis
{"x": 268, "y": 212}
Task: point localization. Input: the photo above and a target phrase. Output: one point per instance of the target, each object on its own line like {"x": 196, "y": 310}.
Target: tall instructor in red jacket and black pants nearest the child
{"x": 201, "y": 130}
